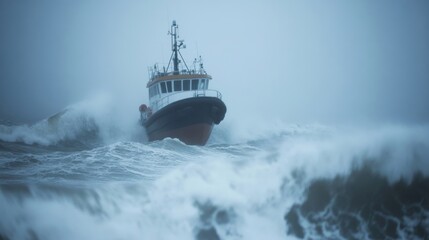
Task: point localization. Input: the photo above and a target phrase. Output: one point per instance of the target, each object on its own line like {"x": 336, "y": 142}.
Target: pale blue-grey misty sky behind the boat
{"x": 298, "y": 61}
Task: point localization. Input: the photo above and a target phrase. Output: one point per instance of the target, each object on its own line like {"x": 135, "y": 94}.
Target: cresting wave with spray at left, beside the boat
{"x": 85, "y": 124}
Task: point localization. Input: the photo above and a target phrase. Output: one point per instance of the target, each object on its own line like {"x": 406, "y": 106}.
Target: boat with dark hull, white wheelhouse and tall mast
{"x": 181, "y": 105}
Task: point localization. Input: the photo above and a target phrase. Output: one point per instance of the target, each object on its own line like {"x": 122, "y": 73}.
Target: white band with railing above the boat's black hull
{"x": 183, "y": 95}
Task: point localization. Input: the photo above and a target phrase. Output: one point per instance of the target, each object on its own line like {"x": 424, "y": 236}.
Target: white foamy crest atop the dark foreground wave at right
{"x": 395, "y": 151}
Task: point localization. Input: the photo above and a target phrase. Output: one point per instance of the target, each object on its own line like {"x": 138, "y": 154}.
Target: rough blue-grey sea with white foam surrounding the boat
{"x": 71, "y": 177}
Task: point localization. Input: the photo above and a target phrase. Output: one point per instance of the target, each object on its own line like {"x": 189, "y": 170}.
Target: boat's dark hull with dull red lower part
{"x": 190, "y": 120}
